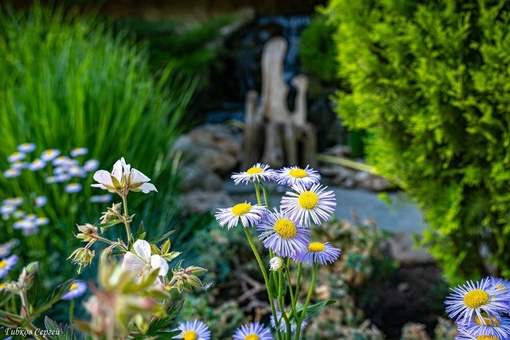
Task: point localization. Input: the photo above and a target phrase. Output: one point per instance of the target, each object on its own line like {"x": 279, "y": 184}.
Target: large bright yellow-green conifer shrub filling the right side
{"x": 430, "y": 83}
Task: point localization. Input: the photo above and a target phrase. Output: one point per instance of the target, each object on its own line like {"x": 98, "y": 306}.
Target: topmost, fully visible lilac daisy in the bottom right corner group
{"x": 481, "y": 299}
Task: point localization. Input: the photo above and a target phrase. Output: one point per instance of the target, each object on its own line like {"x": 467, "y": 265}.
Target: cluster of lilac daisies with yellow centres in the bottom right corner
{"x": 481, "y": 309}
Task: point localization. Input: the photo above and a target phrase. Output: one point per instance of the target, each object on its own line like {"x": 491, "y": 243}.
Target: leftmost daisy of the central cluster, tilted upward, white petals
{"x": 248, "y": 214}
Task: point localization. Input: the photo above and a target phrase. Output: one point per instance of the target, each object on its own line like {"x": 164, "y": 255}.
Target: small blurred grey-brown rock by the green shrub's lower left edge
{"x": 403, "y": 250}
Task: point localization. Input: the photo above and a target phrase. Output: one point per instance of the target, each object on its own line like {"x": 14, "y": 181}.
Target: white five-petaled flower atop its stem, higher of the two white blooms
{"x": 122, "y": 179}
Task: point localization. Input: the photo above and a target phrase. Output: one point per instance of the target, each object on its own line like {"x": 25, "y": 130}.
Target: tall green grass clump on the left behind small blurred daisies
{"x": 67, "y": 81}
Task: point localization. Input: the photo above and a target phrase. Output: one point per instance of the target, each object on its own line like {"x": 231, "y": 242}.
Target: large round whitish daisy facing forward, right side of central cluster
{"x": 309, "y": 203}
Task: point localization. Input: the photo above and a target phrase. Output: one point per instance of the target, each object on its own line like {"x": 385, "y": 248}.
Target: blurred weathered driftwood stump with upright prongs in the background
{"x": 273, "y": 134}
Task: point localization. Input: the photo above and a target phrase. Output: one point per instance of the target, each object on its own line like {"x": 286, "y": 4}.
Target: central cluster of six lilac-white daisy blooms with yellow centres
{"x": 286, "y": 231}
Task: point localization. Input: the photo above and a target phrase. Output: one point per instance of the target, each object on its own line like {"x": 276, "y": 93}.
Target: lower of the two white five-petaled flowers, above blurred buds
{"x": 142, "y": 262}
